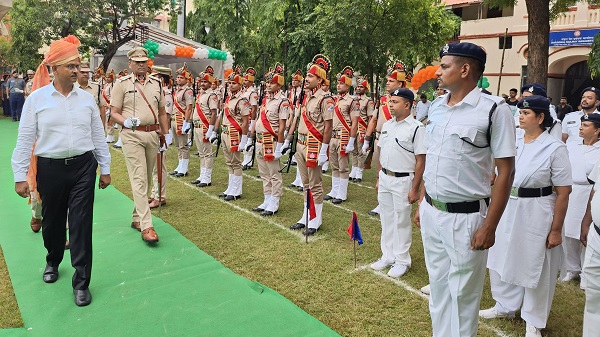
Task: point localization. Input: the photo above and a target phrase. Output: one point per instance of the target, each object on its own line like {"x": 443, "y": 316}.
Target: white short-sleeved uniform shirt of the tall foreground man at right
{"x": 455, "y": 170}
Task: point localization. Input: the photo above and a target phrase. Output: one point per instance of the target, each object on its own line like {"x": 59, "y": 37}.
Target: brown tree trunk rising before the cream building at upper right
{"x": 538, "y": 34}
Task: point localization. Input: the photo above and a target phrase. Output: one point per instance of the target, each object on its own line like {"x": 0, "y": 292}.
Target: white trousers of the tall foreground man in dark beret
{"x": 456, "y": 273}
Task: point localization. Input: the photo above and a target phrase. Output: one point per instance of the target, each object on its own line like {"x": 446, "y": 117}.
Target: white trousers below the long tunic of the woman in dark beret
{"x": 535, "y": 303}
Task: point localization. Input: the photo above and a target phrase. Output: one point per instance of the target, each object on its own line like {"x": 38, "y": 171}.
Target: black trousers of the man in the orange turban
{"x": 66, "y": 187}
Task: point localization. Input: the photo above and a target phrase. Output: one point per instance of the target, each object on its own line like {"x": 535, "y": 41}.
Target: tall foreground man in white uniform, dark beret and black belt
{"x": 467, "y": 132}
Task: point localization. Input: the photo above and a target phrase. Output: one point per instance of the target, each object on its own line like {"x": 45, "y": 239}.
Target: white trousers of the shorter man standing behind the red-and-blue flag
{"x": 396, "y": 227}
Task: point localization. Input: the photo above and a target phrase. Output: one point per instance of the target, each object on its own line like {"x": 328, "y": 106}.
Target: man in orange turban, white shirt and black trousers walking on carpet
{"x": 66, "y": 162}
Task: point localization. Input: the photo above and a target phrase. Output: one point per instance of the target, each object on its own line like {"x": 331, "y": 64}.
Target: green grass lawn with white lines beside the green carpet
{"x": 318, "y": 276}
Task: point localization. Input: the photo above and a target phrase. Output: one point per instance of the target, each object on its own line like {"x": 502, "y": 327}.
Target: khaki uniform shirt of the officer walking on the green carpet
{"x": 126, "y": 96}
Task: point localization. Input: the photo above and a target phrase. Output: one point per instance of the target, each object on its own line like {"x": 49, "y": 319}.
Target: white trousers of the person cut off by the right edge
{"x": 591, "y": 271}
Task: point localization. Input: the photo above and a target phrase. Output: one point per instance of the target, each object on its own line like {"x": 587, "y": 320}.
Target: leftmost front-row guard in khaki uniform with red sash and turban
{"x": 183, "y": 104}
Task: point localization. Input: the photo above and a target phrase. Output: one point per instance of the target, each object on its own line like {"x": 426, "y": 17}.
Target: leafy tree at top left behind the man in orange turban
{"x": 104, "y": 25}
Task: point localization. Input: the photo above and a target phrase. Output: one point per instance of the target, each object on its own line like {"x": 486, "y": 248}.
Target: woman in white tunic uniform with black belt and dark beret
{"x": 525, "y": 259}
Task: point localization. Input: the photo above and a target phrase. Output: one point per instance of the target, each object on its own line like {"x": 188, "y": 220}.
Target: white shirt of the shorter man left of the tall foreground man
{"x": 396, "y": 142}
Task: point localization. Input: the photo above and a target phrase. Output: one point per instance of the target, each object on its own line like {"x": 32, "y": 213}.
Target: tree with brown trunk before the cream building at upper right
{"x": 540, "y": 12}
